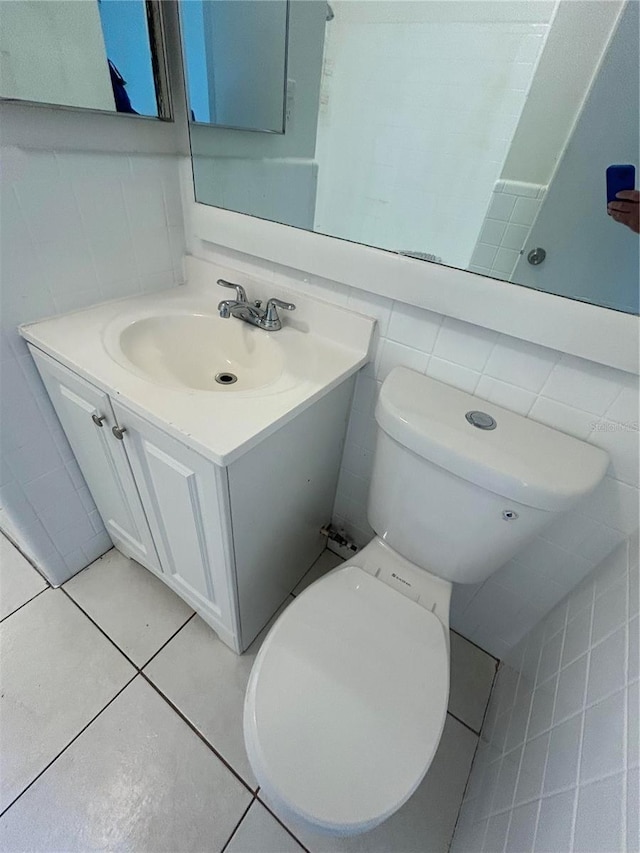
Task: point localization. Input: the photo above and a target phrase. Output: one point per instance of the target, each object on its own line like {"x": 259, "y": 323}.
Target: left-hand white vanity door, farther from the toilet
{"x": 100, "y": 456}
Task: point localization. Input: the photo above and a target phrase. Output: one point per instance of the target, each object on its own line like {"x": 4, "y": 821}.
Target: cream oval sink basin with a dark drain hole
{"x": 202, "y": 352}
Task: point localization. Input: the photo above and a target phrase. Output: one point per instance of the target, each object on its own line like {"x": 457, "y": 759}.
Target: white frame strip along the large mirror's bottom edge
{"x": 577, "y": 328}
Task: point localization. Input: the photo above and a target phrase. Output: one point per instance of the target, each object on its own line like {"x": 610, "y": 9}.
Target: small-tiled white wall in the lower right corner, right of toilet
{"x": 557, "y": 765}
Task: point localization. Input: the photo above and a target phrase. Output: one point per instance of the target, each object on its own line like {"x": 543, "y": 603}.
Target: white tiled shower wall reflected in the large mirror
{"x": 410, "y": 93}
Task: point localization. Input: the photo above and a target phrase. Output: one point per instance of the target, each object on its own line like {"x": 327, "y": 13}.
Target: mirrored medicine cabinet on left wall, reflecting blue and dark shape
{"x": 96, "y": 54}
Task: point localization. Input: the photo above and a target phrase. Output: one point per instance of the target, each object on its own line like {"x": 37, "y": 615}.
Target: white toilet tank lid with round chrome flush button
{"x": 520, "y": 459}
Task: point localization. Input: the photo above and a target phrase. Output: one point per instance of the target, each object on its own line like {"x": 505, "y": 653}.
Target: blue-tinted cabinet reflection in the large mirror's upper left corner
{"x": 236, "y": 62}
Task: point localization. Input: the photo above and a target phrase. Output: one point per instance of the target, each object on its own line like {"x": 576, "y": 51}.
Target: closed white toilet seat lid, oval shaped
{"x": 346, "y": 702}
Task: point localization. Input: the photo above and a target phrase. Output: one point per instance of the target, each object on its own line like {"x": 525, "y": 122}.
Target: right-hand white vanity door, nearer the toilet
{"x": 185, "y": 498}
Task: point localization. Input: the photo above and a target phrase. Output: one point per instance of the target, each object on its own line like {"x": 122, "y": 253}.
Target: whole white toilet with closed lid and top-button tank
{"x": 348, "y": 695}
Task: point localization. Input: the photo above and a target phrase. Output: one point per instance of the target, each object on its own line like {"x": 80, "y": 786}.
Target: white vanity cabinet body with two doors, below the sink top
{"x": 232, "y": 540}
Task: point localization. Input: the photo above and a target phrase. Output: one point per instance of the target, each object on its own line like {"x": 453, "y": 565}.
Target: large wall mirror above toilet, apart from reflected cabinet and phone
{"x": 470, "y": 133}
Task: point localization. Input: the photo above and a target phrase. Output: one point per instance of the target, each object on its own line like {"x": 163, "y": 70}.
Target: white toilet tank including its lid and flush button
{"x": 460, "y": 500}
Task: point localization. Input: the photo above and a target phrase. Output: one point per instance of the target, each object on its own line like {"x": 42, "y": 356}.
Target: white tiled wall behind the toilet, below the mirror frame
{"x": 579, "y": 397}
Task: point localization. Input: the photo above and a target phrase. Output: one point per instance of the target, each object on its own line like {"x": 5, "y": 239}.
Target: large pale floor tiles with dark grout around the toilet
{"x": 121, "y": 726}
